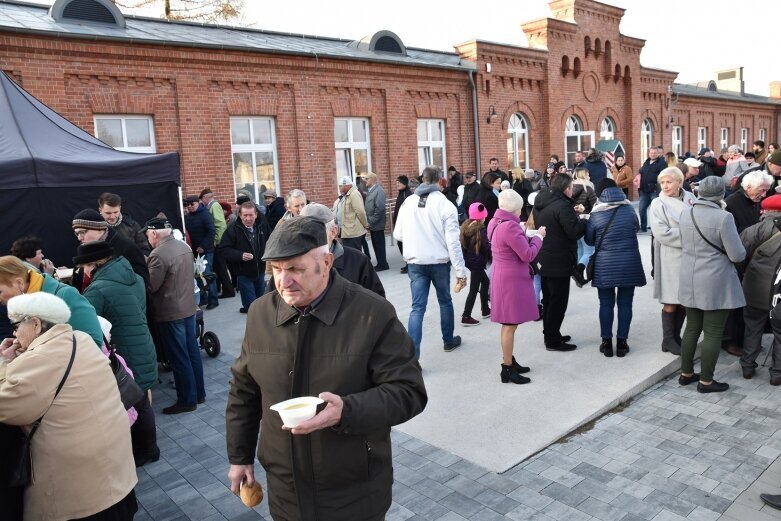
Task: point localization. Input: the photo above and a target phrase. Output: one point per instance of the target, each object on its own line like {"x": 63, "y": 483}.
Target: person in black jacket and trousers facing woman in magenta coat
{"x": 558, "y": 257}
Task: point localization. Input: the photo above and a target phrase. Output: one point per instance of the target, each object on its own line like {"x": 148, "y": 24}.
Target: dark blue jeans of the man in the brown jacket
{"x": 178, "y": 337}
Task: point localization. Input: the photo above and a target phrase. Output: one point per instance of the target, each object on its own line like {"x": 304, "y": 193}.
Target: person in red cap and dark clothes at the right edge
{"x": 763, "y": 249}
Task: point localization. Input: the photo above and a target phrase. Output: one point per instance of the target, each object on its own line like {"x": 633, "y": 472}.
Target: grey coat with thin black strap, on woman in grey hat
{"x": 709, "y": 279}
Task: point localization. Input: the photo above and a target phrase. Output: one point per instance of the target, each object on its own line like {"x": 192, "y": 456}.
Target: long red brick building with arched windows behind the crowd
{"x": 248, "y": 108}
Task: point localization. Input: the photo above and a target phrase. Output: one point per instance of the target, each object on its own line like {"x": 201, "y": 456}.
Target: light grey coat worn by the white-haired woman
{"x": 664, "y": 215}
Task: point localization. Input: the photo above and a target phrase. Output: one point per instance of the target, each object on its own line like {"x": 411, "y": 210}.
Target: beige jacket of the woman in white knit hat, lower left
{"x": 82, "y": 455}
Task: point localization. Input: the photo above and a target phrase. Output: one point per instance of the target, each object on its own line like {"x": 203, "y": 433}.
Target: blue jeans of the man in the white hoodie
{"x": 421, "y": 276}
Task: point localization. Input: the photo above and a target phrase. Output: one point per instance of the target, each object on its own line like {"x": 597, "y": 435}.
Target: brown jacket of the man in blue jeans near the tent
{"x": 171, "y": 280}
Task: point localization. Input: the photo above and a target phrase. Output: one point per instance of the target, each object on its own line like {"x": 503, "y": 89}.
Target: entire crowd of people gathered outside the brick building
{"x": 519, "y": 240}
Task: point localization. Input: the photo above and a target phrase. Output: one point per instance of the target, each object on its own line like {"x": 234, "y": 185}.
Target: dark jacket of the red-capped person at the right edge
{"x": 763, "y": 246}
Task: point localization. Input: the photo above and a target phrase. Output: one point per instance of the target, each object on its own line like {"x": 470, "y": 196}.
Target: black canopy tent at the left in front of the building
{"x": 50, "y": 169}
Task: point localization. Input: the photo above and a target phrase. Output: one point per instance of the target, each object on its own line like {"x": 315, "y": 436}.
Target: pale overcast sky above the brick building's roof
{"x": 693, "y": 37}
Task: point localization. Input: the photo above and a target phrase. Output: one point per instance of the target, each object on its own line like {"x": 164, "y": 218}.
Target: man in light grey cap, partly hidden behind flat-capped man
{"x": 348, "y": 262}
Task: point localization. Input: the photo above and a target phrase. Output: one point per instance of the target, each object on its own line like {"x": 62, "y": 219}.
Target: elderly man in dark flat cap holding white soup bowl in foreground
{"x": 302, "y": 340}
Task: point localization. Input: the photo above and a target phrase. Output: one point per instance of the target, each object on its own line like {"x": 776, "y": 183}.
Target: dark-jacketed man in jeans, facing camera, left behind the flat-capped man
{"x": 243, "y": 244}
